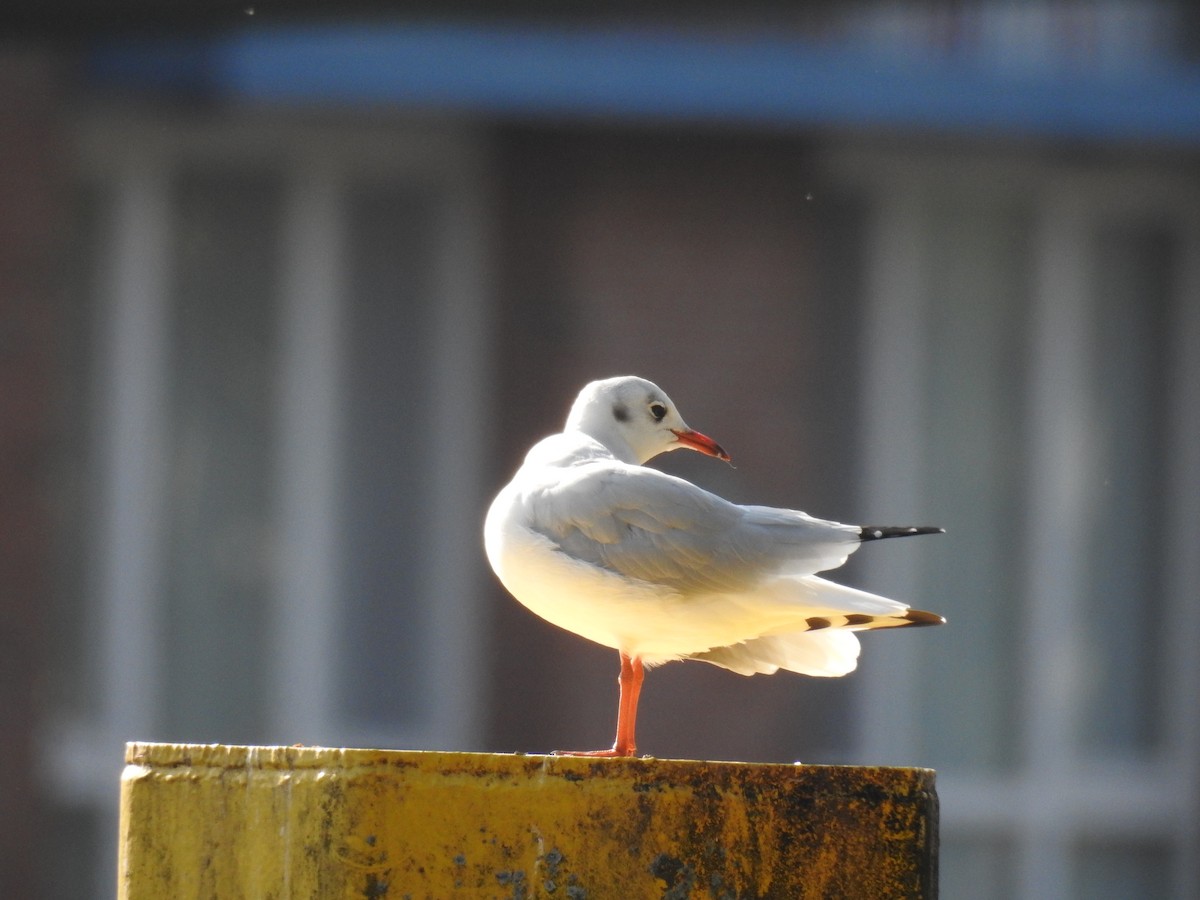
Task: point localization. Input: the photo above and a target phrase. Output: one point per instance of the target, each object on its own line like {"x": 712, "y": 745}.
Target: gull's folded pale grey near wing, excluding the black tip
{"x": 644, "y": 524}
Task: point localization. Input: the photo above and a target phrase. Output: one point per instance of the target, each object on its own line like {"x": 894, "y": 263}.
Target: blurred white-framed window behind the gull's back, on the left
{"x": 281, "y": 331}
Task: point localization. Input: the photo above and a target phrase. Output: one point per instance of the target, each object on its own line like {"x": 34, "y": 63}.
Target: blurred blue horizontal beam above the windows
{"x": 503, "y": 71}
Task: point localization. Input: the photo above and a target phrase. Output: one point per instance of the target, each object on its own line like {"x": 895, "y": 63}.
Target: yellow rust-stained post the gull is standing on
{"x": 281, "y": 823}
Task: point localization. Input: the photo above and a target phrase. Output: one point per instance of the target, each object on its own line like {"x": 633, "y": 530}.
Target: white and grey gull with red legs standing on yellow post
{"x": 659, "y": 569}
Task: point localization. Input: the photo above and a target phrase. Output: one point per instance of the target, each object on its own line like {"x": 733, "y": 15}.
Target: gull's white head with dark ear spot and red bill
{"x": 637, "y": 421}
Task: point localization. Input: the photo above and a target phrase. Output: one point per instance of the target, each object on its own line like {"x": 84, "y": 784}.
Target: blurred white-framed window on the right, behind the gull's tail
{"x": 1034, "y": 387}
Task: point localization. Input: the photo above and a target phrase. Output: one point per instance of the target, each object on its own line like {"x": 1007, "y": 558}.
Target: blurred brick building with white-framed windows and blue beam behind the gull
{"x": 286, "y": 291}
